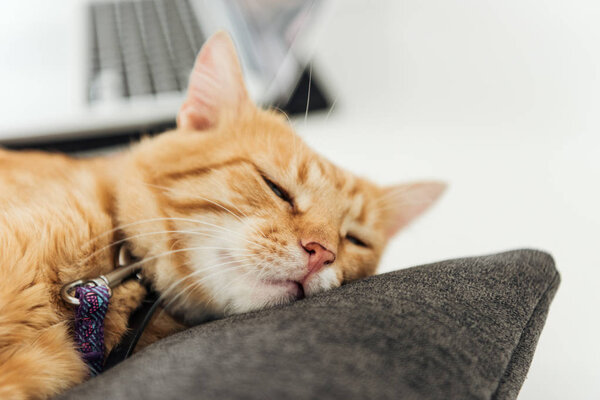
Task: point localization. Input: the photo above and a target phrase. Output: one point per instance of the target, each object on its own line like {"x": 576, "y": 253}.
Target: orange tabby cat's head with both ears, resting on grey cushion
{"x": 233, "y": 212}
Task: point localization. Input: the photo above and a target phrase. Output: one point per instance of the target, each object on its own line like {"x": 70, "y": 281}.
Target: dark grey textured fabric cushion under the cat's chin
{"x": 458, "y": 329}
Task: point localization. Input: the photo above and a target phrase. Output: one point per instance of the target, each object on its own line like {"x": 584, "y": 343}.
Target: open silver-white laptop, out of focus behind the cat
{"x": 72, "y": 69}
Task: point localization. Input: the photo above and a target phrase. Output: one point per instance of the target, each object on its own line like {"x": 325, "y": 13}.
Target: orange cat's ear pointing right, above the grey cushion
{"x": 401, "y": 204}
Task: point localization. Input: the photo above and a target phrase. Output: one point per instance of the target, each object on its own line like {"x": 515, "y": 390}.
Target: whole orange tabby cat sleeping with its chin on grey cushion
{"x": 230, "y": 212}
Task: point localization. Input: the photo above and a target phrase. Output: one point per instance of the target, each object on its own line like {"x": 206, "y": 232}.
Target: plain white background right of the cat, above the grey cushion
{"x": 501, "y": 99}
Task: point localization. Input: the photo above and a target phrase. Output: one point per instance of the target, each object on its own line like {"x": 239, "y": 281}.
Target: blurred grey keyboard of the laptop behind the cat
{"x": 141, "y": 47}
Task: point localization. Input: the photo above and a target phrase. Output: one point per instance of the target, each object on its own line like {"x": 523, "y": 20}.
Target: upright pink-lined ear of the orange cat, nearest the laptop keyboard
{"x": 216, "y": 85}
